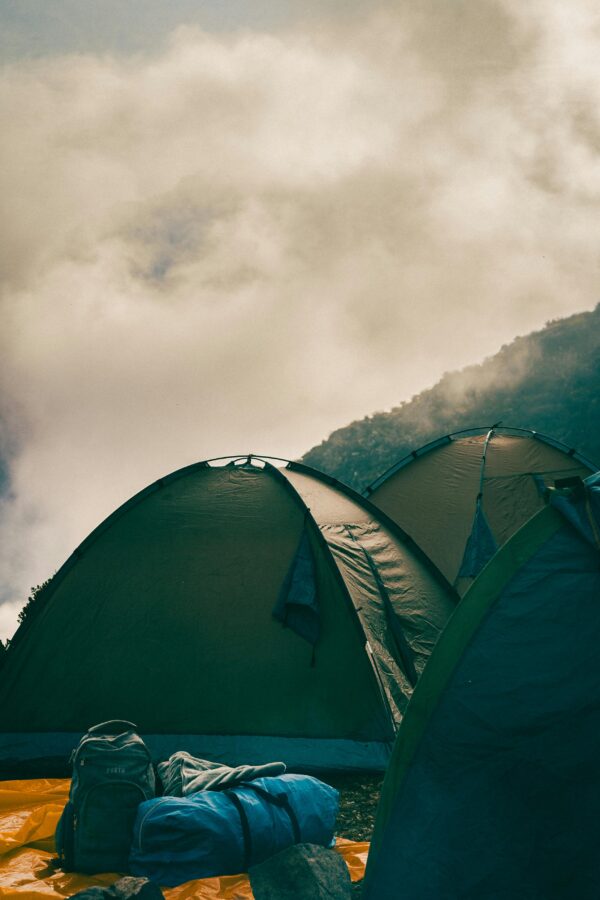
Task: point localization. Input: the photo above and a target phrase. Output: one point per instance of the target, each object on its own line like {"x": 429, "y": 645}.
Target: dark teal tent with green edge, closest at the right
{"x": 493, "y": 790}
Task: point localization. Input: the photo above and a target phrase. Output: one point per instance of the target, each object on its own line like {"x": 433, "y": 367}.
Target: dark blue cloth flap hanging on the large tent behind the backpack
{"x": 297, "y": 605}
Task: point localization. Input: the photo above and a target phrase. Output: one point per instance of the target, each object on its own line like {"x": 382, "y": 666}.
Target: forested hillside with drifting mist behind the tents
{"x": 548, "y": 381}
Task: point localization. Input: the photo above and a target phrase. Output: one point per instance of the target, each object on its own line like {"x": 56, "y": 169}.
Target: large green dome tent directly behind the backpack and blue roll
{"x": 240, "y": 611}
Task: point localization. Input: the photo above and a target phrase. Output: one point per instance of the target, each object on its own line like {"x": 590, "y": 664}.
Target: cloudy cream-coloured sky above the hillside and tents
{"x": 233, "y": 226}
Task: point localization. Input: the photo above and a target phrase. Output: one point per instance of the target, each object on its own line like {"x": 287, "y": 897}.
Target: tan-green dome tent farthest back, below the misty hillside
{"x": 462, "y": 496}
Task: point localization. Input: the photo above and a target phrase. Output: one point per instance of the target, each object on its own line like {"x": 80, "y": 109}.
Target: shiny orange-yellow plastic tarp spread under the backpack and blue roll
{"x": 29, "y": 811}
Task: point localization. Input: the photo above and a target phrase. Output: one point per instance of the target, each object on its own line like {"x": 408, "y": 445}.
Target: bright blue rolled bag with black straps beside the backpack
{"x": 178, "y": 839}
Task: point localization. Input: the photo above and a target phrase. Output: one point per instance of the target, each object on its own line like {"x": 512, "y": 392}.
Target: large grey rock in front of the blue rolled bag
{"x": 304, "y": 870}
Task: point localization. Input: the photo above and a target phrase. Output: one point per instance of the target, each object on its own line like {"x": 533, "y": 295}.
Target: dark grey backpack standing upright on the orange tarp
{"x": 112, "y": 775}
